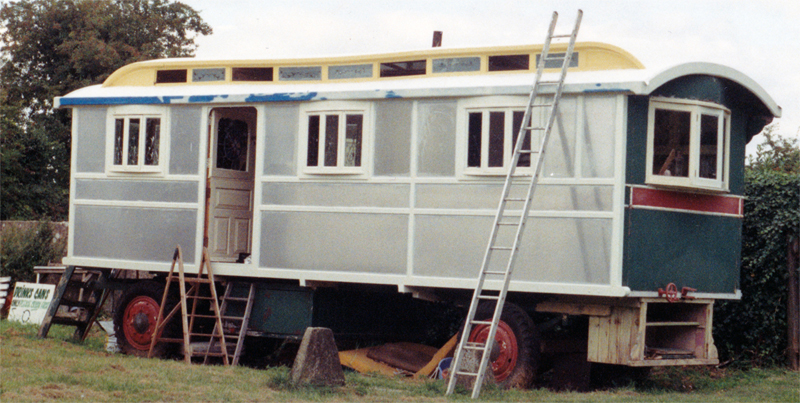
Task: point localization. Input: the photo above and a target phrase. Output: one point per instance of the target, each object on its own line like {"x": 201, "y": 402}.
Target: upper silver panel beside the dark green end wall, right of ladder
{"x": 598, "y": 141}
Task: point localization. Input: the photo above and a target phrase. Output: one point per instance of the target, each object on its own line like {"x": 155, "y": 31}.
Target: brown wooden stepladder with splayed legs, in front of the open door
{"x": 198, "y": 304}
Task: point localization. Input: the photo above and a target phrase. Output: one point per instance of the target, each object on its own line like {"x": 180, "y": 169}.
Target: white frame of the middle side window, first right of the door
{"x": 340, "y": 108}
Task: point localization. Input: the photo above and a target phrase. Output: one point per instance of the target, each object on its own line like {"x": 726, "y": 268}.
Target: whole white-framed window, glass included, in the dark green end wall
{"x": 687, "y": 144}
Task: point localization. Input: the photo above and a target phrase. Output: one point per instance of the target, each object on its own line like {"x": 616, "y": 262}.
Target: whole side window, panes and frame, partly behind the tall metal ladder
{"x": 489, "y": 134}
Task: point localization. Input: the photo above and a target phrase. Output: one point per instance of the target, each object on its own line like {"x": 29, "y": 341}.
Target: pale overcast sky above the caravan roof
{"x": 760, "y": 38}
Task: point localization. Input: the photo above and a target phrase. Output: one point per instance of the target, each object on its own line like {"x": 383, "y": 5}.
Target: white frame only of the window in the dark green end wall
{"x": 697, "y": 109}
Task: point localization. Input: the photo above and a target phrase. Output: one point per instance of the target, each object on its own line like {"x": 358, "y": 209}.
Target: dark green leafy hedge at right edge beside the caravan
{"x": 753, "y": 331}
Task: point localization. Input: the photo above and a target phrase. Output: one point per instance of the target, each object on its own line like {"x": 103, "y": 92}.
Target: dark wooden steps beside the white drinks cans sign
{"x": 85, "y": 290}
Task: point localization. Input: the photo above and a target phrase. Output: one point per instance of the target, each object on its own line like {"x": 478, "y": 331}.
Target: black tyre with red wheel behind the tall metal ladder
{"x": 515, "y": 359}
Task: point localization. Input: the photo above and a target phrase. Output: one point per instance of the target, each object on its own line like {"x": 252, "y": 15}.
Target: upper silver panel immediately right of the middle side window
{"x": 393, "y": 138}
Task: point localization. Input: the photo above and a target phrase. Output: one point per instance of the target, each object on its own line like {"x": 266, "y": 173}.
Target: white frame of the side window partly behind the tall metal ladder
{"x": 507, "y": 104}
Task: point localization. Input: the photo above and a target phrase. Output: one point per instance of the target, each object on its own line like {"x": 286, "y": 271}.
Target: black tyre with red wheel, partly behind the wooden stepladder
{"x": 135, "y": 319}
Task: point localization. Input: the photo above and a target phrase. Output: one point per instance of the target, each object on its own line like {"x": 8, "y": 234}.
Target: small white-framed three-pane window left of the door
{"x": 136, "y": 140}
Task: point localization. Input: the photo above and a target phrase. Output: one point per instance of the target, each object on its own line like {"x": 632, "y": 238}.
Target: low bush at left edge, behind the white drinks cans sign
{"x": 23, "y": 248}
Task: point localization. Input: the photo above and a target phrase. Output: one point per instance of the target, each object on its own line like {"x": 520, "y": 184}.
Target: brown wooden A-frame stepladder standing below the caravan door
{"x": 188, "y": 315}
